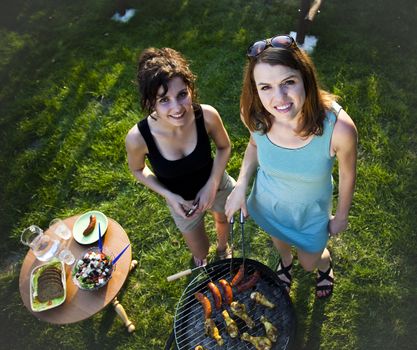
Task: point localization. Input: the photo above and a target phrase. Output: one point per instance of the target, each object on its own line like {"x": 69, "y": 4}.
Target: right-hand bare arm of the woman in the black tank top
{"x": 218, "y": 133}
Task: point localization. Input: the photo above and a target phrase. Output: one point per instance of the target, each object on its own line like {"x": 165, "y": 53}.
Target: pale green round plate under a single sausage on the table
{"x": 81, "y": 224}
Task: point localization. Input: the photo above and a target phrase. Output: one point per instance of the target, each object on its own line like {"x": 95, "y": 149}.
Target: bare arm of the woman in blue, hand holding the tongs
{"x": 237, "y": 199}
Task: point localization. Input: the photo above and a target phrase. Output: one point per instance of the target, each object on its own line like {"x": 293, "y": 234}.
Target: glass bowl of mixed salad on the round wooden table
{"x": 93, "y": 269}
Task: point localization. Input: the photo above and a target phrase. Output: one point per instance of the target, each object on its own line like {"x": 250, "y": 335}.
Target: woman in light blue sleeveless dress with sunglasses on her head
{"x": 296, "y": 132}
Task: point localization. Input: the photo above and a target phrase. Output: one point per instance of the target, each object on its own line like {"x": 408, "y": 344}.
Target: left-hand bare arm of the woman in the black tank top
{"x": 136, "y": 152}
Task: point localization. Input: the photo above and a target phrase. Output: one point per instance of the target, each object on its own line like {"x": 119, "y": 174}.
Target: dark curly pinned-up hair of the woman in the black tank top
{"x": 156, "y": 67}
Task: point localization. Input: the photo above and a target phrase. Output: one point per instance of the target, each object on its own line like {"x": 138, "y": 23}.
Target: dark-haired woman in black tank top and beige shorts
{"x": 175, "y": 138}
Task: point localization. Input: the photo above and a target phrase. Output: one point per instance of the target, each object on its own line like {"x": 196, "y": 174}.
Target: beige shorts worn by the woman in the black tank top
{"x": 189, "y": 224}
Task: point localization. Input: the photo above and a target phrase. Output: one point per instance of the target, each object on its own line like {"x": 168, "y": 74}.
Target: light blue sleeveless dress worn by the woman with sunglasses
{"x": 291, "y": 197}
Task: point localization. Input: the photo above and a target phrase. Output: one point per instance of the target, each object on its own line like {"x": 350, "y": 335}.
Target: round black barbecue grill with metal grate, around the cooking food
{"x": 189, "y": 319}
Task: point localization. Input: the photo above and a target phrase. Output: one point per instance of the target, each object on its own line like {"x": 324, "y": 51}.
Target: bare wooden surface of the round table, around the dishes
{"x": 80, "y": 304}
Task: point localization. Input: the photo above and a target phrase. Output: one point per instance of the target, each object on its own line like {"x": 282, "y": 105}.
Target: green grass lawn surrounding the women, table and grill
{"x": 68, "y": 98}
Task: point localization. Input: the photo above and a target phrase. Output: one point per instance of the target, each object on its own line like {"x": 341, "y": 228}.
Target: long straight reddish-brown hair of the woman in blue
{"x": 256, "y": 117}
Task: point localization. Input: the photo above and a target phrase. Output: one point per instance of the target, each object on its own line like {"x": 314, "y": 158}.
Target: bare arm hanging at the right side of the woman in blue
{"x": 344, "y": 144}
